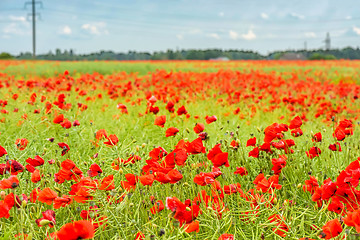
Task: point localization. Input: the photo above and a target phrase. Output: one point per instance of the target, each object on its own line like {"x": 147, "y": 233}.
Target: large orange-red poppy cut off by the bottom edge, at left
{"x": 76, "y": 230}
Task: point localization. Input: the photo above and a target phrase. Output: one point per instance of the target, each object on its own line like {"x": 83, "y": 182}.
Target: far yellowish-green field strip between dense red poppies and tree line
{"x": 336, "y": 70}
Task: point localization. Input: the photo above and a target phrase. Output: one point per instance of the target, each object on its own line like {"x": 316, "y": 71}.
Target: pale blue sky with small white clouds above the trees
{"x": 153, "y": 25}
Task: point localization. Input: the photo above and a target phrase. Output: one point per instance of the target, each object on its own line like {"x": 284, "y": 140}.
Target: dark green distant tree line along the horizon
{"x": 192, "y": 54}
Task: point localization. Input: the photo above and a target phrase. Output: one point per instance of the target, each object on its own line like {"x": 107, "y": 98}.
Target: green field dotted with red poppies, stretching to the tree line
{"x": 179, "y": 150}
